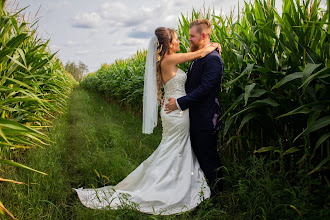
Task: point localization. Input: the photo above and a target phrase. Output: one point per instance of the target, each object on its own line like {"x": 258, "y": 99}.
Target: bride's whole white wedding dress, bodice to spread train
{"x": 169, "y": 181}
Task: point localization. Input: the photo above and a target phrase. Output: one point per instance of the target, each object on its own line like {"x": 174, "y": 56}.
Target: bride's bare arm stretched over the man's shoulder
{"x": 179, "y": 58}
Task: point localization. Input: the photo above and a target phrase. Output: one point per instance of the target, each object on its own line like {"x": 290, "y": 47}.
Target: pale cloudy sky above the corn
{"x": 102, "y": 31}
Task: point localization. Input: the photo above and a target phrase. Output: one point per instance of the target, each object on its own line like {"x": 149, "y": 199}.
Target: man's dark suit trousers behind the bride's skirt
{"x": 204, "y": 145}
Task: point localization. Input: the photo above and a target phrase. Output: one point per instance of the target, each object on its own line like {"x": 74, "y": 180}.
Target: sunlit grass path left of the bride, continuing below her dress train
{"x": 95, "y": 144}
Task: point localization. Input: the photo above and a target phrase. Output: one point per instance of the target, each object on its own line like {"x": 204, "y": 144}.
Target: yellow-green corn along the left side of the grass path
{"x": 34, "y": 87}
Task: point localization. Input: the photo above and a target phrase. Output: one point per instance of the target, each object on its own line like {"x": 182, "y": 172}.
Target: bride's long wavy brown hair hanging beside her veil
{"x": 165, "y": 36}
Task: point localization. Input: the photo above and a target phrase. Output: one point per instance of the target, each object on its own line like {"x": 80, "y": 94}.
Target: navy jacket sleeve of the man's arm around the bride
{"x": 211, "y": 77}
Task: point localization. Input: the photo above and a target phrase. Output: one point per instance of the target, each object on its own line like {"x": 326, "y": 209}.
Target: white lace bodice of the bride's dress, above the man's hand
{"x": 175, "y": 87}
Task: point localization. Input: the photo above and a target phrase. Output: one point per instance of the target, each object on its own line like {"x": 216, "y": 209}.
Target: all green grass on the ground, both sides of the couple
{"x": 97, "y": 143}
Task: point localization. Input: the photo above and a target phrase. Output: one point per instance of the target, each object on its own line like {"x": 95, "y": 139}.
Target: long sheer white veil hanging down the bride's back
{"x": 150, "y": 104}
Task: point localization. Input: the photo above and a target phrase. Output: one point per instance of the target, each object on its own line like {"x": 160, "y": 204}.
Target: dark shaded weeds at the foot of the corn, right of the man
{"x": 267, "y": 189}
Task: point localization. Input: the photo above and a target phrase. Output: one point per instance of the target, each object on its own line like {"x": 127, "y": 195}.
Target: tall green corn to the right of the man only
{"x": 275, "y": 96}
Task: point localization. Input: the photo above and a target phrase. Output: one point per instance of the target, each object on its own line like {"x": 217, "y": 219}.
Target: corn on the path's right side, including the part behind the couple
{"x": 275, "y": 94}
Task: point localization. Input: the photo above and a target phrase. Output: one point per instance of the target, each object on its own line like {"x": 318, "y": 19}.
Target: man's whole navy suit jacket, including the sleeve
{"x": 203, "y": 88}
